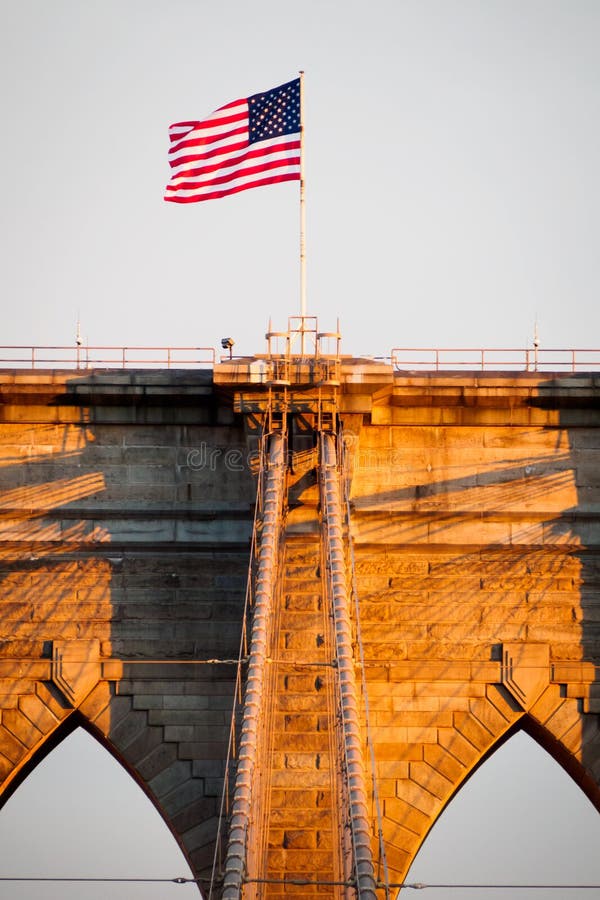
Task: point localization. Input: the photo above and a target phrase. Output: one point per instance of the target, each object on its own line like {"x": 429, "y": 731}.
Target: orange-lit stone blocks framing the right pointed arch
{"x": 434, "y": 773}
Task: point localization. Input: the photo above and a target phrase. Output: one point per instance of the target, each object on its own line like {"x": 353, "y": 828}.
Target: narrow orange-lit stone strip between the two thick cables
{"x": 298, "y": 762}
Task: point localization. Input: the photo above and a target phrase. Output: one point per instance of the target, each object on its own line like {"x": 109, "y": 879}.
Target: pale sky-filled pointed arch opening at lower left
{"x": 77, "y": 812}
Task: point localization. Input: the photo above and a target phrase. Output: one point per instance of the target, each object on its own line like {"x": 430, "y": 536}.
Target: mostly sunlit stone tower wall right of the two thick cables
{"x": 468, "y": 536}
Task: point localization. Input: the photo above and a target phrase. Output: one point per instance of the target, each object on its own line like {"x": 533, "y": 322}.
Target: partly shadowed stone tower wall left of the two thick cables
{"x": 133, "y": 533}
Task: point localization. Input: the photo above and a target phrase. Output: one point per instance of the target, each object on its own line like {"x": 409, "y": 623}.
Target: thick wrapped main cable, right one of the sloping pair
{"x": 357, "y": 797}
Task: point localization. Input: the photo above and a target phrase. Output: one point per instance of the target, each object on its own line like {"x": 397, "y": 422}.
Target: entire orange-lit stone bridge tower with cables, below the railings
{"x": 422, "y": 568}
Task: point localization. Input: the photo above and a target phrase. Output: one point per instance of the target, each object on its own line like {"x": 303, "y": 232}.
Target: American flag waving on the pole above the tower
{"x": 243, "y": 144}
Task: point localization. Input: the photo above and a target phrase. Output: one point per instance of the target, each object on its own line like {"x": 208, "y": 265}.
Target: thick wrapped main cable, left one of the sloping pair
{"x": 265, "y": 584}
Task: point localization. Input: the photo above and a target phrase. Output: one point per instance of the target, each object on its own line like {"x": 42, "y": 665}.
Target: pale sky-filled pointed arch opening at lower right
{"x": 523, "y": 817}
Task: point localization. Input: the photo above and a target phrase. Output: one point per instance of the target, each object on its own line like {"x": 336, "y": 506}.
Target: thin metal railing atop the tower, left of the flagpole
{"x": 100, "y": 357}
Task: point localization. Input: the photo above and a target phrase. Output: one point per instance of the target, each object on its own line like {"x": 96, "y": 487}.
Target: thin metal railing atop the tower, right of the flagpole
{"x": 437, "y": 359}
